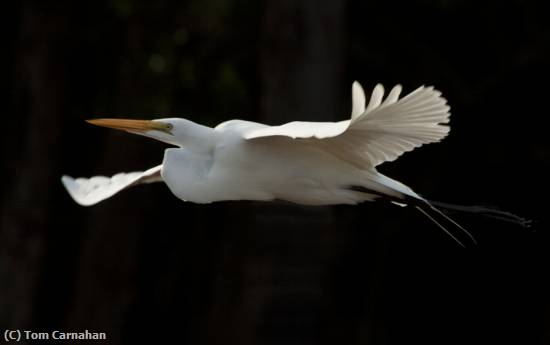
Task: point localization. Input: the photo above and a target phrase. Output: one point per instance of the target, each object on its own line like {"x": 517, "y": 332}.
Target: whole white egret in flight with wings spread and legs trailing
{"x": 310, "y": 163}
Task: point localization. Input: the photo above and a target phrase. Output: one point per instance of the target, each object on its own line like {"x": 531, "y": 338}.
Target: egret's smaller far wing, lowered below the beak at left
{"x": 90, "y": 191}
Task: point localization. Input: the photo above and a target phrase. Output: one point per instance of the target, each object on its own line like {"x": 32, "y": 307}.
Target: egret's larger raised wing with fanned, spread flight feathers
{"x": 377, "y": 133}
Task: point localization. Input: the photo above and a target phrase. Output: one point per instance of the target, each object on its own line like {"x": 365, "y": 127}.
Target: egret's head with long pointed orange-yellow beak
{"x": 174, "y": 131}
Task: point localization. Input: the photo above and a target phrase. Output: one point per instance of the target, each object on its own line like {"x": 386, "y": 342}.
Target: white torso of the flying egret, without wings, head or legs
{"x": 232, "y": 168}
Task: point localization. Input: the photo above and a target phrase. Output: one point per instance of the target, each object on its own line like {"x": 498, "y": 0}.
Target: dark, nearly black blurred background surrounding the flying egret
{"x": 146, "y": 266}
